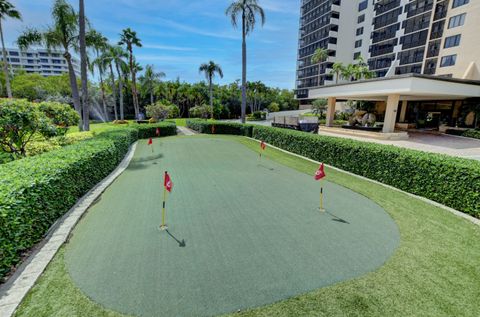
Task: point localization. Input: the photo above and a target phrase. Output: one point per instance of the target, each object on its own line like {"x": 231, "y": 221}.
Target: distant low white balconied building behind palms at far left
{"x": 41, "y": 61}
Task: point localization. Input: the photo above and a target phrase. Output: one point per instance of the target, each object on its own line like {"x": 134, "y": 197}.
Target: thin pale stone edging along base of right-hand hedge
{"x": 434, "y": 203}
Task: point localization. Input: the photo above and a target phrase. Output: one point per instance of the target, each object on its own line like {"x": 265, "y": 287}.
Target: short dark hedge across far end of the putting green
{"x": 204, "y": 126}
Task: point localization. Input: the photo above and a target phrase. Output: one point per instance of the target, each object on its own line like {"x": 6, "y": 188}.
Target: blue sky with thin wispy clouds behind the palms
{"x": 179, "y": 35}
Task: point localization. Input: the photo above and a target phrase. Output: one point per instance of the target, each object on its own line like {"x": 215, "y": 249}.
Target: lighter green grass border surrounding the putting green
{"x": 434, "y": 271}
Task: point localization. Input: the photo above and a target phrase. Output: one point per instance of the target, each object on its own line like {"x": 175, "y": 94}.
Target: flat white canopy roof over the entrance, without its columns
{"x": 409, "y": 87}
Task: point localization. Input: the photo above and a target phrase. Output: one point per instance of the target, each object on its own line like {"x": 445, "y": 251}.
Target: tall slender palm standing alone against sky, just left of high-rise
{"x": 248, "y": 11}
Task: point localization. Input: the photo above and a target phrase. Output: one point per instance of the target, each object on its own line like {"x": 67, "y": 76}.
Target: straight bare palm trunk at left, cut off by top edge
{"x": 83, "y": 65}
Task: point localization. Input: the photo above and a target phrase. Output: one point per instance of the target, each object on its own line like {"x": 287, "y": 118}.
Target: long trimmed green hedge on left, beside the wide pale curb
{"x": 36, "y": 191}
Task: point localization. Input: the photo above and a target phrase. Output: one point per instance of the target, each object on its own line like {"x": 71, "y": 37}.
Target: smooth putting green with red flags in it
{"x": 252, "y": 230}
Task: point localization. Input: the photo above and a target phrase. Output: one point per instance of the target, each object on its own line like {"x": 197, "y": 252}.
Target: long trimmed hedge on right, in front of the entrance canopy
{"x": 451, "y": 181}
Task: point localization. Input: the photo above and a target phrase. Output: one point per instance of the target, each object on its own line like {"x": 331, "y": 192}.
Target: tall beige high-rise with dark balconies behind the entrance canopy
{"x": 395, "y": 37}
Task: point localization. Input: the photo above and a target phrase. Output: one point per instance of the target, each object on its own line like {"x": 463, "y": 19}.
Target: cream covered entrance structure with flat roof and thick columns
{"x": 402, "y": 99}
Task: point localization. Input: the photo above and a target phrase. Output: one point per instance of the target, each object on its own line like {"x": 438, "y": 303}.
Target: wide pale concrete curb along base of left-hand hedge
{"x": 16, "y": 288}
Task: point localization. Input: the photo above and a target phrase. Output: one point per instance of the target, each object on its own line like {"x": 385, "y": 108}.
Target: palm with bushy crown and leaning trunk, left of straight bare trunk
{"x": 62, "y": 34}
